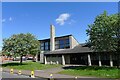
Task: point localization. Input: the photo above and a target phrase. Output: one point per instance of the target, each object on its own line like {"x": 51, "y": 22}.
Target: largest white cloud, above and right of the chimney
{"x": 62, "y": 18}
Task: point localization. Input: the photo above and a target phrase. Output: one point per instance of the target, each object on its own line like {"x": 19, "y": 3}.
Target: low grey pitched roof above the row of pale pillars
{"x": 77, "y": 49}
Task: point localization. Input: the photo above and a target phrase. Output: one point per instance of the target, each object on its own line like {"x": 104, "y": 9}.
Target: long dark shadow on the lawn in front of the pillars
{"x": 89, "y": 68}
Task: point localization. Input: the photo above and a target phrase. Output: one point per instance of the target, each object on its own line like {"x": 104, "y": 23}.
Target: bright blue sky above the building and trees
{"x": 67, "y": 17}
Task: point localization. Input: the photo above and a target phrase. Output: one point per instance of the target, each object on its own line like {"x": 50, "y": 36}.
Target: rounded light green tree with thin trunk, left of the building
{"x": 21, "y": 44}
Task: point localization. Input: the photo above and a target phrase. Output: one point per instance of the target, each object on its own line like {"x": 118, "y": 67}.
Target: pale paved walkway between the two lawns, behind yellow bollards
{"x": 45, "y": 73}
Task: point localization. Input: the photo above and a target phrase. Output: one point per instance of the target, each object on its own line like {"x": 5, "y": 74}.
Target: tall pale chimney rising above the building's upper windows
{"x": 52, "y": 38}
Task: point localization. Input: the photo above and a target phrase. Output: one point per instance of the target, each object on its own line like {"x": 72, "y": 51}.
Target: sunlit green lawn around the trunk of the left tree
{"x": 29, "y": 66}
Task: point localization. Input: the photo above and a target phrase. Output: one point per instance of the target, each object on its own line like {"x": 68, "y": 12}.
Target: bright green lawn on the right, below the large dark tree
{"x": 102, "y": 72}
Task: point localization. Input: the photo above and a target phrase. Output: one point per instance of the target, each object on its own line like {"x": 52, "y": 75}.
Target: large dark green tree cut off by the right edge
{"x": 104, "y": 33}
